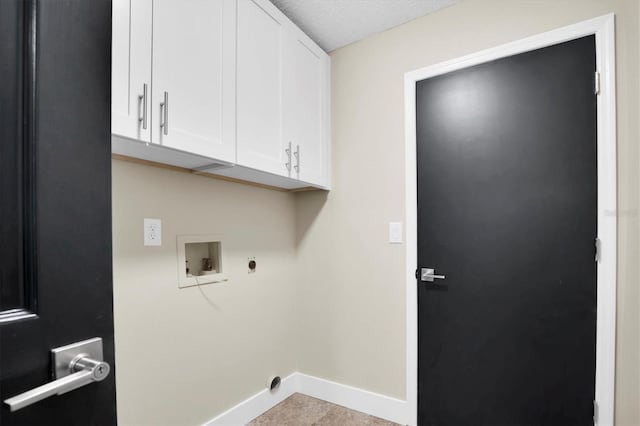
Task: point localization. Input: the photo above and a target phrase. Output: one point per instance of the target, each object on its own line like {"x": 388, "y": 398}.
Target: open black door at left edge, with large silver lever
{"x": 55, "y": 213}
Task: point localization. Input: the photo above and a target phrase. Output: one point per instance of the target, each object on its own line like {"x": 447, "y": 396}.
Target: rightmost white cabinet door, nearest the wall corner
{"x": 306, "y": 118}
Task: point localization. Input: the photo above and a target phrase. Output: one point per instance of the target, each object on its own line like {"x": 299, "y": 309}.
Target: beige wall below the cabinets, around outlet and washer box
{"x": 185, "y": 355}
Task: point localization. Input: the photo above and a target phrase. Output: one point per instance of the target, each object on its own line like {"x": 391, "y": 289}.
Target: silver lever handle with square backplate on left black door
{"x": 75, "y": 368}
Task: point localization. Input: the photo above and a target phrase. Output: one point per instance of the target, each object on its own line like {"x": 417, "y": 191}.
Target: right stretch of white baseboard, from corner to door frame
{"x": 371, "y": 403}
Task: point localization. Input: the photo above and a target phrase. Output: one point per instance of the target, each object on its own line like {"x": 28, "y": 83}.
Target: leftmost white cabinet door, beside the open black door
{"x": 131, "y": 69}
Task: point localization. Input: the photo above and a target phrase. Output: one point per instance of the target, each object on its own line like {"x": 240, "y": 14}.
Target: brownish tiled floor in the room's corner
{"x": 302, "y": 410}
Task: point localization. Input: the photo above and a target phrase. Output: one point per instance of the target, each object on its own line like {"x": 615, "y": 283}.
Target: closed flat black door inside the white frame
{"x": 507, "y": 199}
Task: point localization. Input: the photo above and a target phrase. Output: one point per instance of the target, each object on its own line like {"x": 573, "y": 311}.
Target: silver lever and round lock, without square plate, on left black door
{"x": 82, "y": 371}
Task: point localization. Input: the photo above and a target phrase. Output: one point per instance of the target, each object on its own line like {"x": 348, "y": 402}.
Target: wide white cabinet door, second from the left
{"x": 194, "y": 76}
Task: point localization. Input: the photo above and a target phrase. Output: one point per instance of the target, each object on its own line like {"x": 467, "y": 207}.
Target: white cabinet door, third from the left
{"x": 260, "y": 47}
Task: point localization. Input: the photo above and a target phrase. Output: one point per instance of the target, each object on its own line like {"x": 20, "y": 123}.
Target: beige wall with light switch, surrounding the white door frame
{"x": 353, "y": 304}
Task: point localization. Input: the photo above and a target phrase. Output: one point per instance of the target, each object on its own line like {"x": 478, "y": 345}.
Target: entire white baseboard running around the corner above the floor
{"x": 371, "y": 403}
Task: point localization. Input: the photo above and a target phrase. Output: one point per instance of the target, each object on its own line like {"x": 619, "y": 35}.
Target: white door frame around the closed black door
{"x": 604, "y": 30}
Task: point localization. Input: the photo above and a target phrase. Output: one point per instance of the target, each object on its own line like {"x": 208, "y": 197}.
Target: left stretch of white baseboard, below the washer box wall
{"x": 252, "y": 407}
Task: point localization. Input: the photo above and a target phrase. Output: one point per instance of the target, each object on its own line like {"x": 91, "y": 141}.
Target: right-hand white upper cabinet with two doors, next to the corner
{"x": 283, "y": 94}
